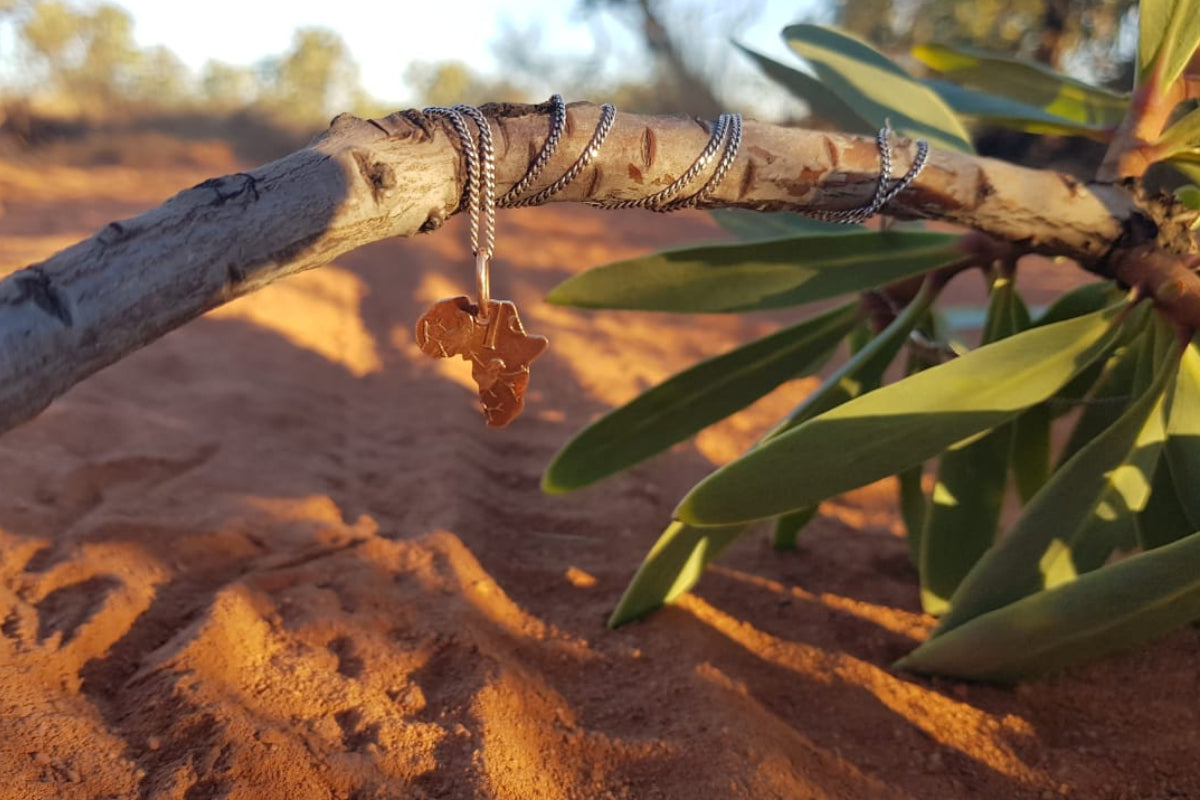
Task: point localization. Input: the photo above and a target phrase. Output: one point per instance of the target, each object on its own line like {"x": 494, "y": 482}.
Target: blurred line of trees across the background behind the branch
{"x": 80, "y": 58}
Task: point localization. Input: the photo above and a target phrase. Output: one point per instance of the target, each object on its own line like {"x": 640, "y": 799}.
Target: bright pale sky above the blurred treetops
{"x": 385, "y": 38}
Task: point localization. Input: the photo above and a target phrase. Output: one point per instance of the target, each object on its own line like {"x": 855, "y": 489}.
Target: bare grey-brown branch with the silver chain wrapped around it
{"x": 363, "y": 182}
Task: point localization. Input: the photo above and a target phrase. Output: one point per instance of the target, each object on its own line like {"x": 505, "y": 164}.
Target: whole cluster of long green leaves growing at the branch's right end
{"x": 1105, "y": 551}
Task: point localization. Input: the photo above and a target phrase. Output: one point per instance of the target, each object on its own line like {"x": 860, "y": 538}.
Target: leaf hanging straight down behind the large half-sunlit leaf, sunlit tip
{"x": 973, "y": 477}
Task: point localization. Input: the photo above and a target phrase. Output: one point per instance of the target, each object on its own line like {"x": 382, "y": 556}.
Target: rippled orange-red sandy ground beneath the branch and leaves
{"x": 278, "y": 555}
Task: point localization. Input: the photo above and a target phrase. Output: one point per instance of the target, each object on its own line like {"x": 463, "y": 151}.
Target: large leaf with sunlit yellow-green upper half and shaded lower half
{"x": 901, "y": 425}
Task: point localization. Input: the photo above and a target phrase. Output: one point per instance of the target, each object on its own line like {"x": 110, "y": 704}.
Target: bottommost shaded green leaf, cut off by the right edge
{"x": 1114, "y": 609}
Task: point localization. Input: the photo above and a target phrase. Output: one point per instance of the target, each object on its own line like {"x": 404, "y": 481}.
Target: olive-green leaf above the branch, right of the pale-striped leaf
{"x": 1077, "y": 106}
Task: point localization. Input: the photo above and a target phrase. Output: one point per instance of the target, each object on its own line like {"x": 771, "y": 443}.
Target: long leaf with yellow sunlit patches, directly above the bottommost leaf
{"x": 1037, "y": 551}
